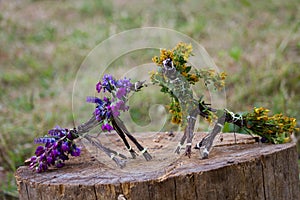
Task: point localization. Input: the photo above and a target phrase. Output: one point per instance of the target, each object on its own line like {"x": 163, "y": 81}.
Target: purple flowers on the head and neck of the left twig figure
{"x": 110, "y": 106}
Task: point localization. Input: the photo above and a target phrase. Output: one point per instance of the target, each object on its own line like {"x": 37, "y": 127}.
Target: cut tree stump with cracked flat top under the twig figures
{"x": 242, "y": 170}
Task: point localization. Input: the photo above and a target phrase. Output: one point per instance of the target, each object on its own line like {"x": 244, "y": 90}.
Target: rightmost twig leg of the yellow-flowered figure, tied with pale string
{"x": 205, "y": 145}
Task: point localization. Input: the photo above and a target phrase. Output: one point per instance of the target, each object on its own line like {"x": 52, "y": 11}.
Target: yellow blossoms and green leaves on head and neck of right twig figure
{"x": 179, "y": 56}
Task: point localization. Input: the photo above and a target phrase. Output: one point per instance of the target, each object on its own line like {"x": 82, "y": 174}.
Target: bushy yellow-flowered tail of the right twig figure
{"x": 275, "y": 129}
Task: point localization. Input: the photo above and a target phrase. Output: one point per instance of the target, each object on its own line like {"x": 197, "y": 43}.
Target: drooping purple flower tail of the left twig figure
{"x": 59, "y": 143}
